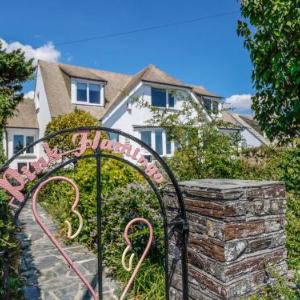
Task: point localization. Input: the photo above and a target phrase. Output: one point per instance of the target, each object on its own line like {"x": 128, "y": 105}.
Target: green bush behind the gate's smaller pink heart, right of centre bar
{"x": 120, "y": 207}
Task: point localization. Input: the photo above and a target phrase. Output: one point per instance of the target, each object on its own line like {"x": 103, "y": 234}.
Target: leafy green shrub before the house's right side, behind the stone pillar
{"x": 202, "y": 151}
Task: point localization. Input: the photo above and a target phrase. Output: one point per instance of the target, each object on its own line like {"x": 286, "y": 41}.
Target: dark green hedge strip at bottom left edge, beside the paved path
{"x": 10, "y": 281}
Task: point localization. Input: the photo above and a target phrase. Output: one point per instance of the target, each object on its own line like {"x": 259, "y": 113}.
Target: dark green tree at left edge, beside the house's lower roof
{"x": 14, "y": 71}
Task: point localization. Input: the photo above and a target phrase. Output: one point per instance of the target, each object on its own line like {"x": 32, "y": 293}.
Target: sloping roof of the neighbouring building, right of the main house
{"x": 246, "y": 122}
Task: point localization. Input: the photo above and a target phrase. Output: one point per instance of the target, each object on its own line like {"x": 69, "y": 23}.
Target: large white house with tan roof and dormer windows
{"x": 110, "y": 97}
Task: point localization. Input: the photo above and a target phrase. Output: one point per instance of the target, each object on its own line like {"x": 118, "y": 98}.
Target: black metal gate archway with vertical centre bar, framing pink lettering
{"x": 176, "y": 224}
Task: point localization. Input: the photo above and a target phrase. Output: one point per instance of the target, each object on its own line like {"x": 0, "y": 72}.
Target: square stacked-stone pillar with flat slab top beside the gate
{"x": 236, "y": 232}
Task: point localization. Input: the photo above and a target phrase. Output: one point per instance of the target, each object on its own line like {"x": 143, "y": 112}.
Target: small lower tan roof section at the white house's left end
{"x": 24, "y": 115}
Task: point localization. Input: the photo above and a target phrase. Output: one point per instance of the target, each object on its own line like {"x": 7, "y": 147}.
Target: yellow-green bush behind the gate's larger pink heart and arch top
{"x": 57, "y": 198}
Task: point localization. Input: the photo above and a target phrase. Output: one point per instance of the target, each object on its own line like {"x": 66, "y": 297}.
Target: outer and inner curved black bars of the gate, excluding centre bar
{"x": 98, "y": 155}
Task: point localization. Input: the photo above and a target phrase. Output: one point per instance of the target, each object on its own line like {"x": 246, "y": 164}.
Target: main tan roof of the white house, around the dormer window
{"x": 57, "y": 82}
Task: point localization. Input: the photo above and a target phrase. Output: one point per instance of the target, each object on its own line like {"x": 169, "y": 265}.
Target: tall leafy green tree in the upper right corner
{"x": 271, "y": 33}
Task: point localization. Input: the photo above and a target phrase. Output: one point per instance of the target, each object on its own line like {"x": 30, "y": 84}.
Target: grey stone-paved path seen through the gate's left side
{"x": 46, "y": 273}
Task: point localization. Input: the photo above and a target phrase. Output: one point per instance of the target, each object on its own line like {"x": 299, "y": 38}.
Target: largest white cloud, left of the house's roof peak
{"x": 46, "y": 52}
